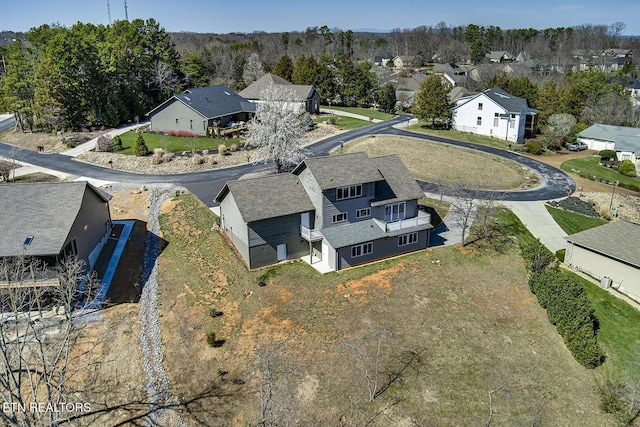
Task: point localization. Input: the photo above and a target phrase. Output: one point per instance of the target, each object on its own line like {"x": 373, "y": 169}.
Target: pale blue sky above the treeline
{"x": 245, "y": 16}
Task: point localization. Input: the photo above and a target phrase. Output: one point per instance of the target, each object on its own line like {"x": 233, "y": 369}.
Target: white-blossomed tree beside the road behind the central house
{"x": 278, "y": 129}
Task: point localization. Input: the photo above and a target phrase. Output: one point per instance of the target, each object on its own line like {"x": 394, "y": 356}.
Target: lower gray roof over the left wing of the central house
{"x": 268, "y": 196}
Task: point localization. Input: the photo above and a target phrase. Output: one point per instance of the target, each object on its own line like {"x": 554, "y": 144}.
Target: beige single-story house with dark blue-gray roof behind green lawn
{"x": 200, "y": 110}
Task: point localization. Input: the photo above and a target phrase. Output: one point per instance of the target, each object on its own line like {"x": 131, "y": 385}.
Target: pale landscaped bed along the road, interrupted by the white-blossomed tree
{"x": 184, "y": 164}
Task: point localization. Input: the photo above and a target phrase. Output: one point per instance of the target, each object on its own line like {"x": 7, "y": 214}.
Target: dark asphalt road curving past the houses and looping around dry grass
{"x": 205, "y": 185}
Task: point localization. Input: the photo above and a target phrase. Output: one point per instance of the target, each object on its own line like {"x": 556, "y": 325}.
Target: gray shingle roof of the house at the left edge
{"x": 45, "y": 211}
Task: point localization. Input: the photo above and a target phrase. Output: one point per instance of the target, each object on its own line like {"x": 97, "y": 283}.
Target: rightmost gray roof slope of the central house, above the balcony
{"x": 398, "y": 184}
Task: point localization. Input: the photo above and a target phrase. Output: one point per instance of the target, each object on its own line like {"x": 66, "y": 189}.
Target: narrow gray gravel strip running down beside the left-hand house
{"x": 157, "y": 383}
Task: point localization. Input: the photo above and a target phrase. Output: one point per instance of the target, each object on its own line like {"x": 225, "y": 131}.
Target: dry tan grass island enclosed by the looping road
{"x": 435, "y": 162}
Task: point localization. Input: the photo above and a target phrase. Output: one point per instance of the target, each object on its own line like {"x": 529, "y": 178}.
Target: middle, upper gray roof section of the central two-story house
{"x": 339, "y": 171}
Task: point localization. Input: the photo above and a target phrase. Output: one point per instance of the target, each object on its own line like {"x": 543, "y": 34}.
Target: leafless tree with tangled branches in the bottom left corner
{"x": 38, "y": 330}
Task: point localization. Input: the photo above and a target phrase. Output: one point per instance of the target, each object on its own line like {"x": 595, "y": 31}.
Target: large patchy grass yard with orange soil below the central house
{"x": 462, "y": 322}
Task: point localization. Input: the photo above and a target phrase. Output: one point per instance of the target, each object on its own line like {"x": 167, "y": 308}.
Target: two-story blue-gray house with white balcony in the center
{"x": 340, "y": 211}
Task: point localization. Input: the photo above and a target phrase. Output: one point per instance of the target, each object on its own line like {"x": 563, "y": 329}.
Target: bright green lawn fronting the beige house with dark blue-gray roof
{"x": 173, "y": 144}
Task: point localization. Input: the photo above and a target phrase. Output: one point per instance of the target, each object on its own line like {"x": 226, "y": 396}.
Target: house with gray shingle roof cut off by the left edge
{"x": 50, "y": 221}
